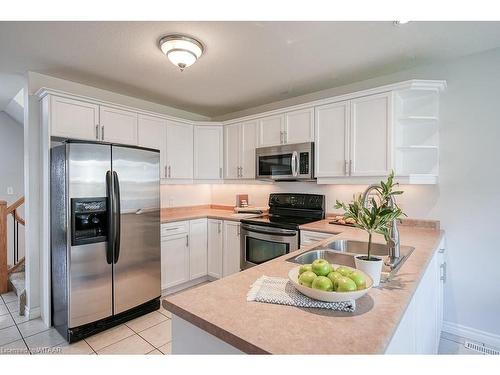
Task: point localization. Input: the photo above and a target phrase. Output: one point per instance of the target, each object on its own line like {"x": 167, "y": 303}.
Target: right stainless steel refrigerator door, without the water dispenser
{"x": 137, "y": 268}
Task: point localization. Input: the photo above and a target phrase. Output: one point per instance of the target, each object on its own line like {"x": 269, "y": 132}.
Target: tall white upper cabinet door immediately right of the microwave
{"x": 331, "y": 143}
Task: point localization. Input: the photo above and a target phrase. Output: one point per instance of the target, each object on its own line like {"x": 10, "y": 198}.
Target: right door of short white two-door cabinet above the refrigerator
{"x": 118, "y": 125}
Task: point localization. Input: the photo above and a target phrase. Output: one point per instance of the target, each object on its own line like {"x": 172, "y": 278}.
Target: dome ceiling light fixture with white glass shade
{"x": 181, "y": 50}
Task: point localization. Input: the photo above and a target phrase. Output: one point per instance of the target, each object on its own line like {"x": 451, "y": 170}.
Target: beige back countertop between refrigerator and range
{"x": 169, "y": 215}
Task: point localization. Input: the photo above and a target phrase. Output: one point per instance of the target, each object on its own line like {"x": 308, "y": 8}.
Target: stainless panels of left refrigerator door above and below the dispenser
{"x": 90, "y": 275}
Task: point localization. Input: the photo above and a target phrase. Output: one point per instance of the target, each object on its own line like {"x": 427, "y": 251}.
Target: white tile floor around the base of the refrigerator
{"x": 148, "y": 334}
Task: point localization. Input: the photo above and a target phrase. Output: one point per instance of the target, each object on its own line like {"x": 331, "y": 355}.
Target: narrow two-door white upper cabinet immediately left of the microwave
{"x": 239, "y": 150}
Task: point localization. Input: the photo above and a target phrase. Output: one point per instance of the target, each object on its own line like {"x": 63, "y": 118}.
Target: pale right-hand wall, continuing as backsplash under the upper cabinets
{"x": 467, "y": 199}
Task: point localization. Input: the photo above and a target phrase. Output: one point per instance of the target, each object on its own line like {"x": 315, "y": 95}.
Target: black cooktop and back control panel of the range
{"x": 290, "y": 210}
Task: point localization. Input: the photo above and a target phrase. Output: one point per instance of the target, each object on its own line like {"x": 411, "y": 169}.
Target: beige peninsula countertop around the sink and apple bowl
{"x": 221, "y": 308}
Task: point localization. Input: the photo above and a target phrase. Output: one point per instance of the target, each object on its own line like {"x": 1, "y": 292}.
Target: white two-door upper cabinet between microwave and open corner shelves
{"x": 354, "y": 137}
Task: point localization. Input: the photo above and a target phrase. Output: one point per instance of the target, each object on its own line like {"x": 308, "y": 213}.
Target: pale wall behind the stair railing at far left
{"x": 12, "y": 175}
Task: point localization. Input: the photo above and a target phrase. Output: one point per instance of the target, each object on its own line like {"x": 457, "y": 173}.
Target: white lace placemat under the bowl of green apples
{"x": 282, "y": 292}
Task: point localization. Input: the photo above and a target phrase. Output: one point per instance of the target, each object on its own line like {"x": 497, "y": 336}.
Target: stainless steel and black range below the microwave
{"x": 273, "y": 235}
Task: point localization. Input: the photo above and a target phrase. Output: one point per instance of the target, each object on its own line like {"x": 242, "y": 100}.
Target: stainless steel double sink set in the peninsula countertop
{"x": 343, "y": 252}
